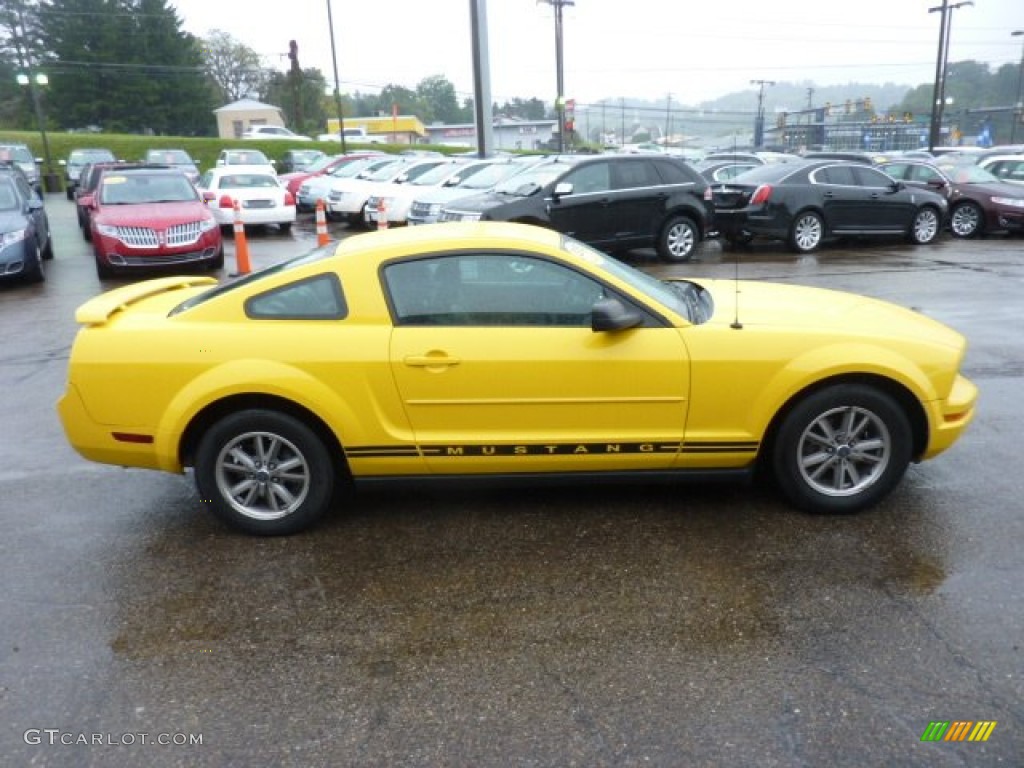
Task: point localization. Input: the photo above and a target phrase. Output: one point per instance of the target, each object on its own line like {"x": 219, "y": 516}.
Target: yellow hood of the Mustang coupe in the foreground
{"x": 819, "y": 312}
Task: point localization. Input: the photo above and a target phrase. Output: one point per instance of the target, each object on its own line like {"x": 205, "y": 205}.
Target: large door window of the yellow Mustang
{"x": 490, "y": 290}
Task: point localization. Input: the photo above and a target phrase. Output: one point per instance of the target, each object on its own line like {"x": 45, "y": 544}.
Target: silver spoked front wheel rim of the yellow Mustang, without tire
{"x": 844, "y": 451}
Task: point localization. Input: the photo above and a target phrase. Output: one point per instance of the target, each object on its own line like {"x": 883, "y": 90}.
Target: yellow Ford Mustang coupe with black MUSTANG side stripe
{"x": 495, "y": 350}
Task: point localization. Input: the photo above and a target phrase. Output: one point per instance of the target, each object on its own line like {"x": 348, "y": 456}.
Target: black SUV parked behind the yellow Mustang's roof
{"x": 613, "y": 202}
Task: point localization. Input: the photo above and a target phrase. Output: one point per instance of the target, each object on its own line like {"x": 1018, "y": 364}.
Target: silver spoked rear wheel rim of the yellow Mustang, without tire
{"x": 263, "y": 476}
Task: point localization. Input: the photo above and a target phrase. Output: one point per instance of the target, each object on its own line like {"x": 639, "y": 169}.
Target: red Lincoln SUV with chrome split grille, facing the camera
{"x": 152, "y": 218}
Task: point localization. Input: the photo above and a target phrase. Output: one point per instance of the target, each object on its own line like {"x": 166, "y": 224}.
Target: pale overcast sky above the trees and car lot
{"x": 692, "y": 50}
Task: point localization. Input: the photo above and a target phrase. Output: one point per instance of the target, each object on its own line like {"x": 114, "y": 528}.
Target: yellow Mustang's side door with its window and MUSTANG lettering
{"x": 499, "y": 370}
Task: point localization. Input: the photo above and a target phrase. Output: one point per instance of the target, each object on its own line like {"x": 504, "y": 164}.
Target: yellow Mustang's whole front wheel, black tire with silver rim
{"x": 824, "y": 467}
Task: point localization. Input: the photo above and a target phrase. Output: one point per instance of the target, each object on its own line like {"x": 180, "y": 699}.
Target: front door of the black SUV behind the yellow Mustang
{"x": 584, "y": 214}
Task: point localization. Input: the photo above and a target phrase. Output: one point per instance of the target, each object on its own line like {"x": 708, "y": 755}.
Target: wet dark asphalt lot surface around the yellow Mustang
{"x": 626, "y": 626}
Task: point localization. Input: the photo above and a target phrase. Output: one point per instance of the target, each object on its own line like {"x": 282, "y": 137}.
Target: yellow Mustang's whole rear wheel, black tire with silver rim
{"x": 258, "y": 499}
